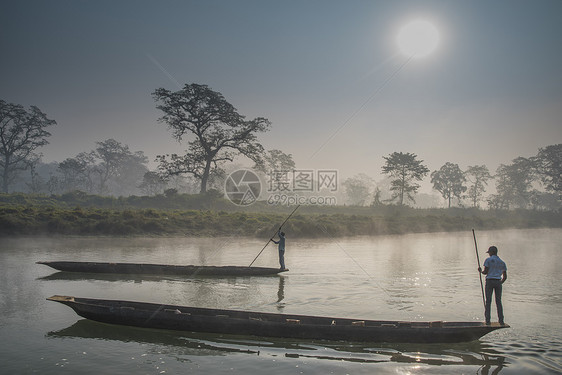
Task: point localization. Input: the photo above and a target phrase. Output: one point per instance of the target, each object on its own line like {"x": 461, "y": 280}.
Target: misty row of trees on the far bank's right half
{"x": 532, "y": 182}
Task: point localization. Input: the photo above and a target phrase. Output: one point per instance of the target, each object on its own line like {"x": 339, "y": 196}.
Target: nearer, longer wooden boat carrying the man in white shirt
{"x": 197, "y": 319}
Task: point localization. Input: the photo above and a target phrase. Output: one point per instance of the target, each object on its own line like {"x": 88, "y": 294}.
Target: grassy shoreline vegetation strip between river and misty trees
{"x": 80, "y": 214}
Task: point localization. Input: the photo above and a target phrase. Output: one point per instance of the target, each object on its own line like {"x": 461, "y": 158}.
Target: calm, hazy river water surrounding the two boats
{"x": 406, "y": 277}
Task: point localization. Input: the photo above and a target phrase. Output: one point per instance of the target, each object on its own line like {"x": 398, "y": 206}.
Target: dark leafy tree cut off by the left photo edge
{"x": 21, "y": 133}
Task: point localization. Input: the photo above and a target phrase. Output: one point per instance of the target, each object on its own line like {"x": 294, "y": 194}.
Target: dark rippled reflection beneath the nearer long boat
{"x": 181, "y": 344}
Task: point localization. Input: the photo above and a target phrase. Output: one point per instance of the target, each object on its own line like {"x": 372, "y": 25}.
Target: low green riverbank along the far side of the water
{"x": 32, "y": 219}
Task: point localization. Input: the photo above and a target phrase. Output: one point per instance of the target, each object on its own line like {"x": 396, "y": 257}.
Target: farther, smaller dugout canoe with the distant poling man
{"x": 160, "y": 269}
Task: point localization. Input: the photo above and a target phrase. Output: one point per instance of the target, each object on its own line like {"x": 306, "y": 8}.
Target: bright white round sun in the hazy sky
{"x": 418, "y": 39}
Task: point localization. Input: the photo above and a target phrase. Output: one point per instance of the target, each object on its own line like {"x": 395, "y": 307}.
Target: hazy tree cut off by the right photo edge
{"x": 549, "y": 165}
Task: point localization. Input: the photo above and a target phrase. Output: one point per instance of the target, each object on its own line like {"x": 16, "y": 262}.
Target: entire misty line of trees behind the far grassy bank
{"x": 215, "y": 134}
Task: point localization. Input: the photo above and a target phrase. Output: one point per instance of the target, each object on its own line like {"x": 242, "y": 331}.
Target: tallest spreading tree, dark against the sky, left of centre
{"x": 218, "y": 131}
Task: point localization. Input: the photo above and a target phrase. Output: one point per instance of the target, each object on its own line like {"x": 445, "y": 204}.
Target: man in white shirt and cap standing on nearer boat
{"x": 496, "y": 274}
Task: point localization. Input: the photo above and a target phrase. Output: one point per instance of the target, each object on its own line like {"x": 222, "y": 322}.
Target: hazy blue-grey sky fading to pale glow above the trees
{"x": 327, "y": 74}
